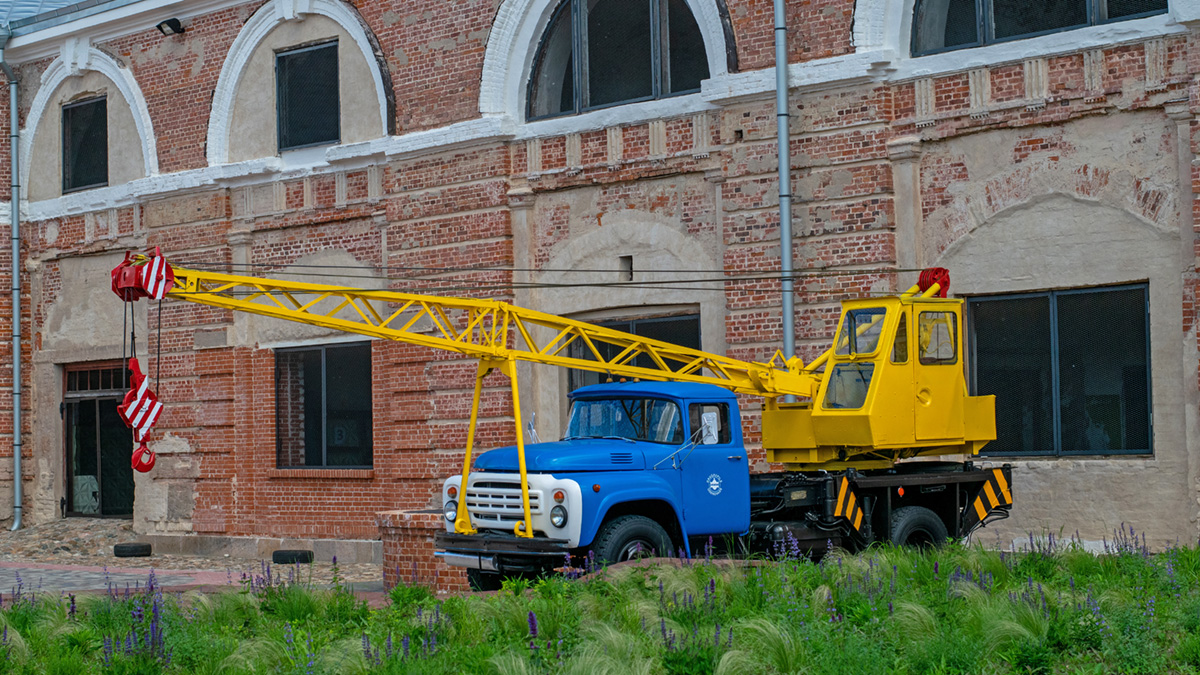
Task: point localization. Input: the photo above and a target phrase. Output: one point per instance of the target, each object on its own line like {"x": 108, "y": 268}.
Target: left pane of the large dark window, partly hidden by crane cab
{"x": 1012, "y": 356}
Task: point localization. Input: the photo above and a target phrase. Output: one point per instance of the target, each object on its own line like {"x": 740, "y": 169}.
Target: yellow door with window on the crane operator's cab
{"x": 939, "y": 373}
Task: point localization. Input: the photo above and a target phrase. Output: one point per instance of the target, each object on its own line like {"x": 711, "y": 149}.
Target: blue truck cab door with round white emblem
{"x": 715, "y": 474}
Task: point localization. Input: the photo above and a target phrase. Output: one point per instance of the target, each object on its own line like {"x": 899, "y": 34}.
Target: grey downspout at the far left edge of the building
{"x": 15, "y": 229}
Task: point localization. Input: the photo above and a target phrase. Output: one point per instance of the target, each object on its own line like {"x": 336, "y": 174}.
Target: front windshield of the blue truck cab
{"x": 635, "y": 420}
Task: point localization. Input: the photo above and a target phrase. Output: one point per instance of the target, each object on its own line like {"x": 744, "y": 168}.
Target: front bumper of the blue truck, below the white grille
{"x": 501, "y": 553}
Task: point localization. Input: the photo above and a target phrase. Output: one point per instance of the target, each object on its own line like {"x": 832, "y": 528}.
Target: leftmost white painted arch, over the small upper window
{"x": 75, "y": 59}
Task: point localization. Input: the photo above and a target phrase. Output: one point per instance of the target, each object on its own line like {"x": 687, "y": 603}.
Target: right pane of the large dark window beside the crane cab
{"x": 1103, "y": 372}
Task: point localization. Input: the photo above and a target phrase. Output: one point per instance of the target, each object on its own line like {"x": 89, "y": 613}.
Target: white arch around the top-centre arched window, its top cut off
{"x": 515, "y": 38}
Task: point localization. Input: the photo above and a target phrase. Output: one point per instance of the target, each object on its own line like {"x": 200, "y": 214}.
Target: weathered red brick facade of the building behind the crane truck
{"x": 485, "y": 218}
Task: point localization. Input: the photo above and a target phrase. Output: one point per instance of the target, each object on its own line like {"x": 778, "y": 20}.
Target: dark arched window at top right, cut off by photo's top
{"x": 941, "y": 26}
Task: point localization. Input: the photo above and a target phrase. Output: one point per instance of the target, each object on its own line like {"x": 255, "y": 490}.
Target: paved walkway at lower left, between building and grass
{"x": 45, "y": 578}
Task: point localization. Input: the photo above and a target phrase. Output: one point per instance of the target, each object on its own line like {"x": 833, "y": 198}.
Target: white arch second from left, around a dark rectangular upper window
{"x": 256, "y": 29}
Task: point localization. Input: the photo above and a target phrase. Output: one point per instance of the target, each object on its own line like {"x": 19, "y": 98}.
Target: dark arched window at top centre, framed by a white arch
{"x": 601, "y": 53}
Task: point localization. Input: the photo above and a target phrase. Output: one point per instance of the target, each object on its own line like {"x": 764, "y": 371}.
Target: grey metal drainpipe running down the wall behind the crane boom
{"x": 785, "y": 183}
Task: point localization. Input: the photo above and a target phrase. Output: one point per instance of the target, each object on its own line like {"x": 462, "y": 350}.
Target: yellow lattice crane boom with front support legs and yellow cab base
{"x": 501, "y": 334}
